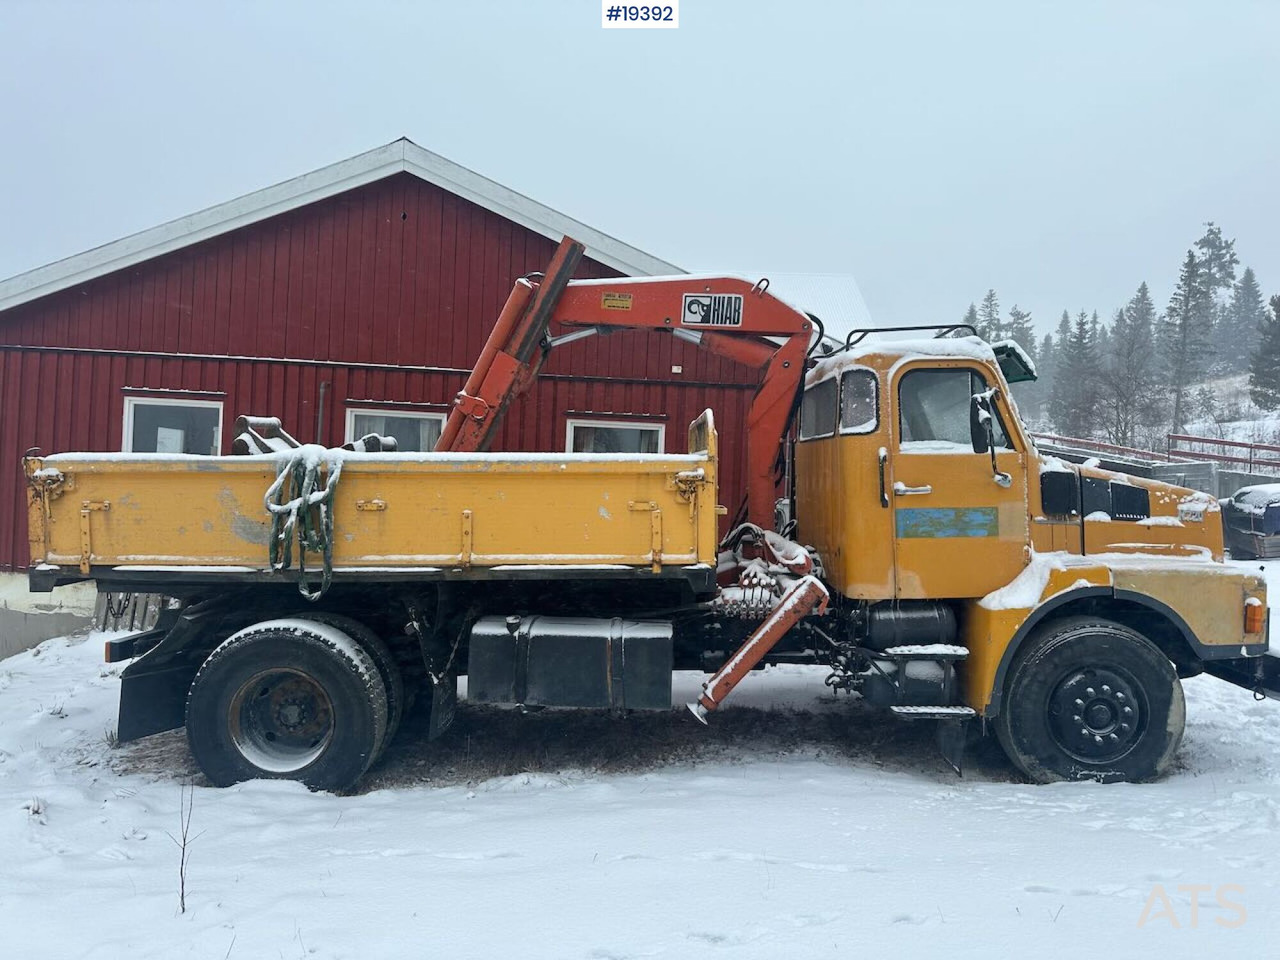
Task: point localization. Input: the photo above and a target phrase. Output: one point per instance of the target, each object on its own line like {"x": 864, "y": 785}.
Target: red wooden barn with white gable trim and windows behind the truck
{"x": 349, "y": 300}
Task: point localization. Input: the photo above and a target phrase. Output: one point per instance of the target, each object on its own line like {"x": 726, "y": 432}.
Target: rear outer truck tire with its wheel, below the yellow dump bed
{"x": 287, "y": 700}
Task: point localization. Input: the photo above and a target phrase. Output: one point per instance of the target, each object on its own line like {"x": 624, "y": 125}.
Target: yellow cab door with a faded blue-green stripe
{"x": 959, "y": 531}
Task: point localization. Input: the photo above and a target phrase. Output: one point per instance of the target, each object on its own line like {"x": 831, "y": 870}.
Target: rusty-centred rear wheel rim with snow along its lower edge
{"x": 281, "y": 721}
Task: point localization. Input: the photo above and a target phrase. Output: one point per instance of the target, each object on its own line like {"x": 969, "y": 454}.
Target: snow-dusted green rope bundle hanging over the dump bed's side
{"x": 303, "y": 510}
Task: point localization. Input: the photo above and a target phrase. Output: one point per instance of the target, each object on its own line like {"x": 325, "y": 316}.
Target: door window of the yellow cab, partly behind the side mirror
{"x": 934, "y": 410}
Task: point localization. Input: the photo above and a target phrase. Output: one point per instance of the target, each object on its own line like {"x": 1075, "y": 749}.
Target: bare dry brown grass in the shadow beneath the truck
{"x": 486, "y": 743}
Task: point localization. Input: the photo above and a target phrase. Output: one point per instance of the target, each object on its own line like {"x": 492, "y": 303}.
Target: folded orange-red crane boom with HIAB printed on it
{"x": 726, "y": 316}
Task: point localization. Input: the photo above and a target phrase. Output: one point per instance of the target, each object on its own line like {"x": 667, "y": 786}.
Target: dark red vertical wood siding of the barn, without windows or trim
{"x": 386, "y": 294}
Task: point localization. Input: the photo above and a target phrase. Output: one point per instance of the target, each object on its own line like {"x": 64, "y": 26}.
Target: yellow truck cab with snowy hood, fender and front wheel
{"x": 940, "y": 524}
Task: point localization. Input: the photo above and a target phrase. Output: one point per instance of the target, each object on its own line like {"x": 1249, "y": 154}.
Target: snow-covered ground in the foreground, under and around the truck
{"x": 793, "y": 828}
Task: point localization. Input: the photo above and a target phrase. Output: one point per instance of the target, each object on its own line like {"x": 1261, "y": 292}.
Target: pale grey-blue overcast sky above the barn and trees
{"x": 1059, "y": 153}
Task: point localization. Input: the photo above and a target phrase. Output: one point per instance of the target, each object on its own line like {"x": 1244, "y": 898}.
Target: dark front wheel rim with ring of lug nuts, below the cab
{"x": 1098, "y": 715}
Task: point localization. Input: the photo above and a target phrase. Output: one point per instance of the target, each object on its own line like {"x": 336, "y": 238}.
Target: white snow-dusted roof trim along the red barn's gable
{"x": 400, "y": 157}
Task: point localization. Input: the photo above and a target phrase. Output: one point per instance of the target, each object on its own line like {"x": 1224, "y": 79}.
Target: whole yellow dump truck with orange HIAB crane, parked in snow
{"x": 924, "y": 552}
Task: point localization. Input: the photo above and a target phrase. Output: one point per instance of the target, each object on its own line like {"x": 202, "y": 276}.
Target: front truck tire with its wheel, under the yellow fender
{"x": 1091, "y": 700}
